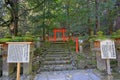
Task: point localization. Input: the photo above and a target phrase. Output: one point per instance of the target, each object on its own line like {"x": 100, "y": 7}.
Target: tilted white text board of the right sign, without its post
{"x": 107, "y": 49}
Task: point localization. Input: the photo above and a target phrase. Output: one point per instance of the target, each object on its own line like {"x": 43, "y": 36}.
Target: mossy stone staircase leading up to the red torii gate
{"x": 57, "y": 58}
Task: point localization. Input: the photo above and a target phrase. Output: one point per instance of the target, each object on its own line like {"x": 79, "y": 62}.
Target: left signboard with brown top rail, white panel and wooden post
{"x": 18, "y": 52}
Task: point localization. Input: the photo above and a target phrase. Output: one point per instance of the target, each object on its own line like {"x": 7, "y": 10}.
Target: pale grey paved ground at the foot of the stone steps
{"x": 68, "y": 75}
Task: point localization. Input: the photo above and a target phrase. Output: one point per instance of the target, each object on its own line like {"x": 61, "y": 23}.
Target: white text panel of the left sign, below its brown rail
{"x": 18, "y": 53}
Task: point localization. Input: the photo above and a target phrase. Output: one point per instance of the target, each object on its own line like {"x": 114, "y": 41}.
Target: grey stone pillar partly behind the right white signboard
{"x": 101, "y": 63}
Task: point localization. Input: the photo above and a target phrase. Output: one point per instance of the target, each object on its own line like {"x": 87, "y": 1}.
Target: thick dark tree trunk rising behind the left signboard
{"x": 13, "y": 7}
